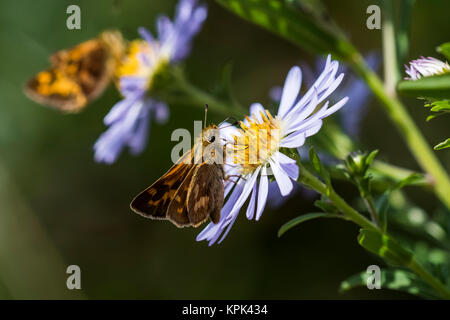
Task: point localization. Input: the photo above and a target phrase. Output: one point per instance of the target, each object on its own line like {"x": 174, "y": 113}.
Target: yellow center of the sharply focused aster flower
{"x": 258, "y": 140}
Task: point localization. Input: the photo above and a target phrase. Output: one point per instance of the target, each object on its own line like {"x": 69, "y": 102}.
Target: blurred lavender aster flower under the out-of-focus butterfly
{"x": 129, "y": 119}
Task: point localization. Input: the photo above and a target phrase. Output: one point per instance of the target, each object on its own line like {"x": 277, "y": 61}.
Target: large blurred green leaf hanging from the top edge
{"x": 287, "y": 20}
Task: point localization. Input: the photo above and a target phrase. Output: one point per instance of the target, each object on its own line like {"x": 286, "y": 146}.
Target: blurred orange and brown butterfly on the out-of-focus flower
{"x": 78, "y": 75}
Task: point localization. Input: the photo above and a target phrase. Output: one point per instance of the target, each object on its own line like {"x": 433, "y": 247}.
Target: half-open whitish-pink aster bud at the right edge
{"x": 425, "y": 67}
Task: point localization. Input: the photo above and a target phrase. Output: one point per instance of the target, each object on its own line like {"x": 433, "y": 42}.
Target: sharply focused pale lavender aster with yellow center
{"x": 296, "y": 120}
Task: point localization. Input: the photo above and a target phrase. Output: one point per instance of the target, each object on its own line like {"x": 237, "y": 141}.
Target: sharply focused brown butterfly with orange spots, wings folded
{"x": 191, "y": 191}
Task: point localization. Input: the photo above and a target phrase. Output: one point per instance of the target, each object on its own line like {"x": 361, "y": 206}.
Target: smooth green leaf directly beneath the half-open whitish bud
{"x": 435, "y": 87}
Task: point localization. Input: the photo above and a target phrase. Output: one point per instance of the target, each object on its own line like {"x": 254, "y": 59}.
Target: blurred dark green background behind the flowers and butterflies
{"x": 58, "y": 207}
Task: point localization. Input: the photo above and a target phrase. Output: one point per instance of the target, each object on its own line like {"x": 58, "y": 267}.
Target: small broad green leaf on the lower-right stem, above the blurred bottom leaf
{"x": 384, "y": 246}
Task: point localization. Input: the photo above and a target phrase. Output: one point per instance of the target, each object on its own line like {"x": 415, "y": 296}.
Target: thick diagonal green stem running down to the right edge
{"x": 408, "y": 129}
